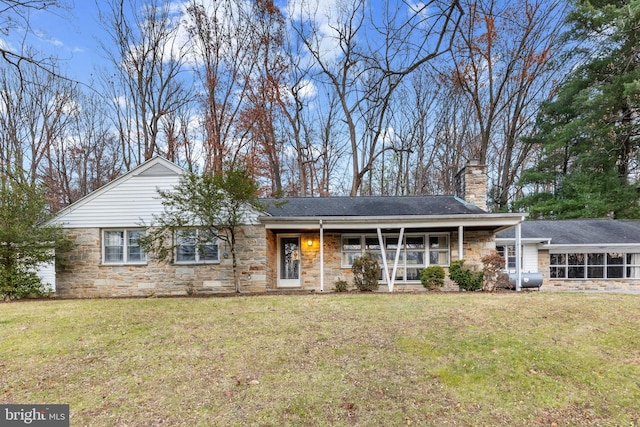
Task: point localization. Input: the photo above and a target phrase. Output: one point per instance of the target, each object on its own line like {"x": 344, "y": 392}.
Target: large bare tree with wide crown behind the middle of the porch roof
{"x": 365, "y": 75}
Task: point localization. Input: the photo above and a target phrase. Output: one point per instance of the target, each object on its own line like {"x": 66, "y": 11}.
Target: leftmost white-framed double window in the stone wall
{"x": 122, "y": 247}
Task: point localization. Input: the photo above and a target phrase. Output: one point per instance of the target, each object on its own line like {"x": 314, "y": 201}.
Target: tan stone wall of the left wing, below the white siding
{"x": 81, "y": 274}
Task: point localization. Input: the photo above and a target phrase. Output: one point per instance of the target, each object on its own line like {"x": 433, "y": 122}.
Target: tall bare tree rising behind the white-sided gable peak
{"x": 148, "y": 60}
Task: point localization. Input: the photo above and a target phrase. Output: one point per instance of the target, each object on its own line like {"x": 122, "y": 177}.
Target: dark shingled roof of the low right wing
{"x": 578, "y": 232}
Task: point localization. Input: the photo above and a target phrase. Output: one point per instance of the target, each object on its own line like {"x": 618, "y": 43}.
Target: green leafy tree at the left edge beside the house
{"x": 25, "y": 240}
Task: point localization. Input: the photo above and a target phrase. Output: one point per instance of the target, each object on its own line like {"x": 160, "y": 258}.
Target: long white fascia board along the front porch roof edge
{"x": 361, "y": 223}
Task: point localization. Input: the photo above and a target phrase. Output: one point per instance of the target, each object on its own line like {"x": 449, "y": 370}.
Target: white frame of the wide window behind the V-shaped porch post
{"x": 359, "y": 246}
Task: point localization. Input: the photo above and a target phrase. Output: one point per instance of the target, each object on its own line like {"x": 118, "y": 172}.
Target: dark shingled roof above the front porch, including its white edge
{"x": 380, "y": 211}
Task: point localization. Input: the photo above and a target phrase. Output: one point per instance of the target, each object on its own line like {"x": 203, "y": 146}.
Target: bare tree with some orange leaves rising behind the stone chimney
{"x": 504, "y": 65}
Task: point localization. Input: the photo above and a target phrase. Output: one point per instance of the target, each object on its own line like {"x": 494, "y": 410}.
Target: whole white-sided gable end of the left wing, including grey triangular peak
{"x": 127, "y": 201}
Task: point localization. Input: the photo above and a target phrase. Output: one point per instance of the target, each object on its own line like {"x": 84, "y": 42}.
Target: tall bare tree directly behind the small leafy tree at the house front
{"x": 222, "y": 39}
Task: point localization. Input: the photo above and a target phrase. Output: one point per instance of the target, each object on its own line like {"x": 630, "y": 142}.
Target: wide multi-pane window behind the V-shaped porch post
{"x": 414, "y": 253}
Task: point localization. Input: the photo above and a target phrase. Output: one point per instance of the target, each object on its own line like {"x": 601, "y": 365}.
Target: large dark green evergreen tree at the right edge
{"x": 589, "y": 131}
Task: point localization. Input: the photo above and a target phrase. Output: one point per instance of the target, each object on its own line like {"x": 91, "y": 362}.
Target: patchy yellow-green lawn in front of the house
{"x": 341, "y": 359}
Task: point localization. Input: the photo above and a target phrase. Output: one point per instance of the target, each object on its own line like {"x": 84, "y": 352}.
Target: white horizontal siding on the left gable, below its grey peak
{"x": 131, "y": 203}
